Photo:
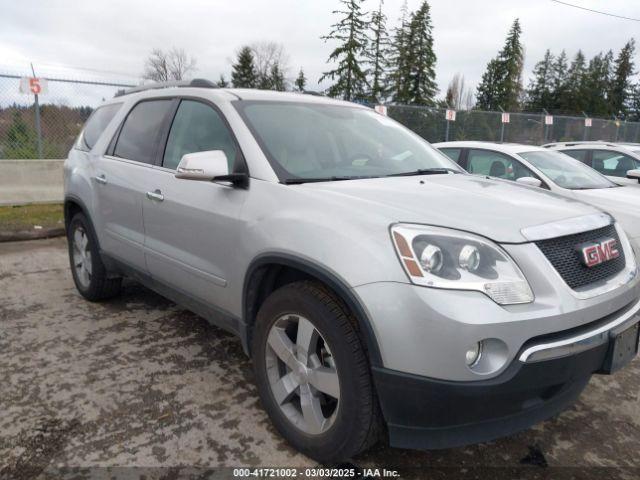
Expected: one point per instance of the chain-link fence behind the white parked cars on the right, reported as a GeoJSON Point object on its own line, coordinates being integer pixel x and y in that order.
{"type": "Point", "coordinates": [528, 128]}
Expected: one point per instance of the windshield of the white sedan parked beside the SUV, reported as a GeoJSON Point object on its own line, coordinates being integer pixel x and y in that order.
{"type": "Point", "coordinates": [565, 171]}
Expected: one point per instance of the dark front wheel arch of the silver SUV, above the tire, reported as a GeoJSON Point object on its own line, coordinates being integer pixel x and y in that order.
{"type": "Point", "coordinates": [261, 278]}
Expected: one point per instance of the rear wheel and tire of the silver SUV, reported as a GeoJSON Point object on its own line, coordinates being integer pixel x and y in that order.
{"type": "Point", "coordinates": [89, 273]}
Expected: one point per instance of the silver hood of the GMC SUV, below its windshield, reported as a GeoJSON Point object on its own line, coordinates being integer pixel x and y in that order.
{"type": "Point", "coordinates": [496, 209]}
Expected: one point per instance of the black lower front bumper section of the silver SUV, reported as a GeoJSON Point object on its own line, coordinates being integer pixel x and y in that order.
{"type": "Point", "coordinates": [426, 413]}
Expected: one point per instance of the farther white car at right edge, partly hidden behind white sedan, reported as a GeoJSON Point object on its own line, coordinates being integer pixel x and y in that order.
{"type": "Point", "coordinates": [618, 162]}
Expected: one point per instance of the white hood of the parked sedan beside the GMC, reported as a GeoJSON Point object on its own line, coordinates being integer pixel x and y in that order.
{"type": "Point", "coordinates": [621, 202]}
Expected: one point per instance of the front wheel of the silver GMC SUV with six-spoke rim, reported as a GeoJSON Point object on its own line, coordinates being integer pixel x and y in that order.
{"type": "Point", "coordinates": [340, 428]}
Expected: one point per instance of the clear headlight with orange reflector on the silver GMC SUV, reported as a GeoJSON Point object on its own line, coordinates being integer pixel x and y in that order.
{"type": "Point", "coordinates": [442, 258]}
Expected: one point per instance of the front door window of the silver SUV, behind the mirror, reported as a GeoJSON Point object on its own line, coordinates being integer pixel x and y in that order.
{"type": "Point", "coordinates": [197, 128]}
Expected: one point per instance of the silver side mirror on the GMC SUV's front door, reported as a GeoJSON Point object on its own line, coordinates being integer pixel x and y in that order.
{"type": "Point", "coordinates": [209, 166]}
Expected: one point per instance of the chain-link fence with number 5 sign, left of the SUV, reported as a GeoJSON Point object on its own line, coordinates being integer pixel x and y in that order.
{"type": "Point", "coordinates": [46, 125]}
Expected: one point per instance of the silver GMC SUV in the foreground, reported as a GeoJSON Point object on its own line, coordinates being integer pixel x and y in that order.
{"type": "Point", "coordinates": [381, 291]}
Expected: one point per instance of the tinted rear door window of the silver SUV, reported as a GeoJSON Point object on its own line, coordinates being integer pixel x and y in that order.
{"type": "Point", "coordinates": [140, 133]}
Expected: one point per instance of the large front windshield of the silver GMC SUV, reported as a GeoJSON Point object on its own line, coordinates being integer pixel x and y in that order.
{"type": "Point", "coordinates": [305, 141]}
